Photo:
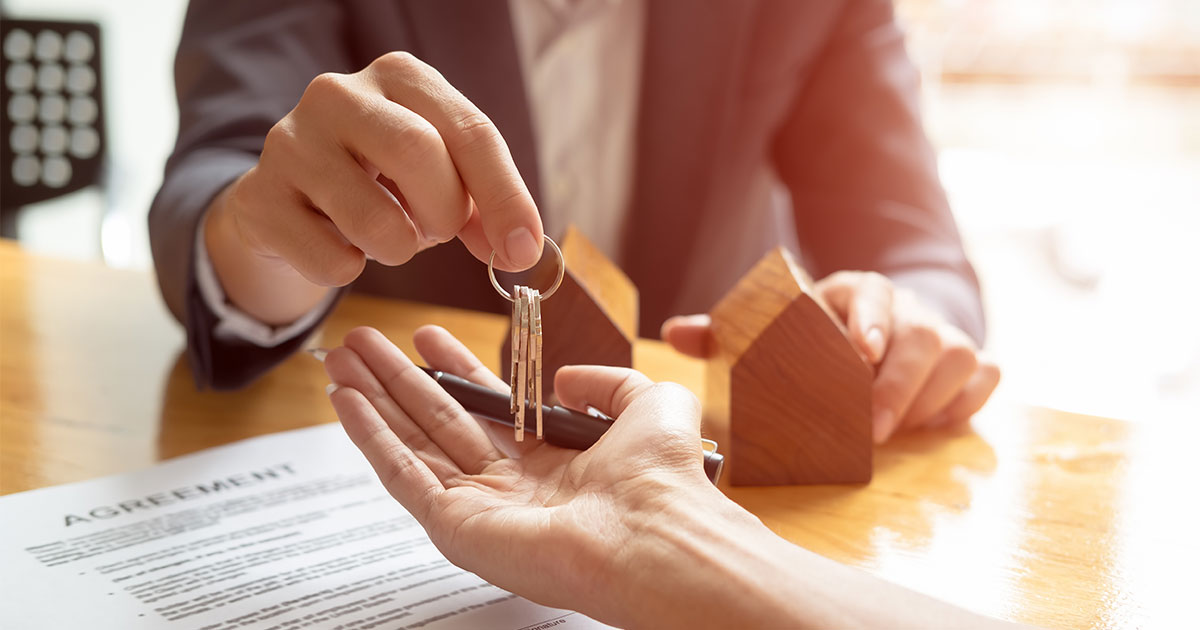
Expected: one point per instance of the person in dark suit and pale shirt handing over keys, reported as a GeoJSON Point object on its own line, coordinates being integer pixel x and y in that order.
{"type": "Point", "coordinates": [393, 146]}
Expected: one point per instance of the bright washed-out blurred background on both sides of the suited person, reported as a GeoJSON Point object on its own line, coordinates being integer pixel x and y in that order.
{"type": "Point", "coordinates": [1070, 143]}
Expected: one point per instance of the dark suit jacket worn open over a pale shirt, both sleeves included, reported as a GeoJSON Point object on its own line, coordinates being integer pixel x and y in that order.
{"type": "Point", "coordinates": [740, 99]}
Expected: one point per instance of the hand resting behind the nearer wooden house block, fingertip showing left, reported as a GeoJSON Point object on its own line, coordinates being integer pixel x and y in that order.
{"type": "Point", "coordinates": [929, 374]}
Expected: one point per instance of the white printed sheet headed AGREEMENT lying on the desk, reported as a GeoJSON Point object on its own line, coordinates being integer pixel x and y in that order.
{"type": "Point", "coordinates": [283, 532]}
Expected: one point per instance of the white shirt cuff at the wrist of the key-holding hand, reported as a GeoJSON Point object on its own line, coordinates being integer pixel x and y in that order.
{"type": "Point", "coordinates": [235, 325]}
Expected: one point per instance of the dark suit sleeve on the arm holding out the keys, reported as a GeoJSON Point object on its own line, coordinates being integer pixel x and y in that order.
{"type": "Point", "coordinates": [241, 68]}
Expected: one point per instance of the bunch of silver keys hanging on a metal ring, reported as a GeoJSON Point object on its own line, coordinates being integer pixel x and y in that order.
{"type": "Point", "coordinates": [525, 379]}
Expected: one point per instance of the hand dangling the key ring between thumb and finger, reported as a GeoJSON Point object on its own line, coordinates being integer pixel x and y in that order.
{"type": "Point", "coordinates": [381, 164]}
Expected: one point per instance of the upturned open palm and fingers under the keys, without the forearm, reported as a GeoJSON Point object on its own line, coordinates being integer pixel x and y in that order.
{"type": "Point", "coordinates": [554, 525]}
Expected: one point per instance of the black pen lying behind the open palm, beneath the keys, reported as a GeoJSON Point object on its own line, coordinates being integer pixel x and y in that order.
{"type": "Point", "coordinates": [562, 428]}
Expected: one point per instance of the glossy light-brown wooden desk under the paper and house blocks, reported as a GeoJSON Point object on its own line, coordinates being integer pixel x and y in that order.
{"type": "Point", "coordinates": [1036, 515]}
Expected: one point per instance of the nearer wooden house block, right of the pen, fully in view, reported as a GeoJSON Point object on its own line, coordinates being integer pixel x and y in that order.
{"type": "Point", "coordinates": [794, 392]}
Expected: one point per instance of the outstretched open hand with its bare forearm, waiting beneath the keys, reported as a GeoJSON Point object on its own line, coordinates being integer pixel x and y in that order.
{"type": "Point", "coordinates": [629, 532]}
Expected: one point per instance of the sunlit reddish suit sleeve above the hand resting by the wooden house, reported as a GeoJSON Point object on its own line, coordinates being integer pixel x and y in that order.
{"type": "Point", "coordinates": [863, 176]}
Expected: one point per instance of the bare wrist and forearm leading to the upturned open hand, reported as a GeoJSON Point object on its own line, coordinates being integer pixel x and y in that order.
{"type": "Point", "coordinates": [703, 561]}
